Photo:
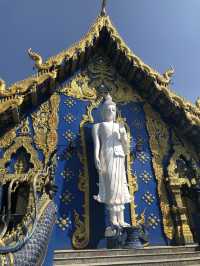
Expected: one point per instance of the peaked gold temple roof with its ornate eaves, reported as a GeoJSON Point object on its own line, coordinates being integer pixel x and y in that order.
{"type": "Point", "coordinates": [51, 71]}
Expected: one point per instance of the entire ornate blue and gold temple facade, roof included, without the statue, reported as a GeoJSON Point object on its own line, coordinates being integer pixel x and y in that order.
{"type": "Point", "coordinates": [47, 171]}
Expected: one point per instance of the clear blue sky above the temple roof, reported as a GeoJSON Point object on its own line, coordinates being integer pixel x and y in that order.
{"type": "Point", "coordinates": [161, 32]}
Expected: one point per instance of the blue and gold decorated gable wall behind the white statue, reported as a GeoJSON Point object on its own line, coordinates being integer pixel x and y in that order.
{"type": "Point", "coordinates": [63, 124]}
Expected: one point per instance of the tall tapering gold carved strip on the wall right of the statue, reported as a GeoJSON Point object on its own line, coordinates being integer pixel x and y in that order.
{"type": "Point", "coordinates": [159, 148]}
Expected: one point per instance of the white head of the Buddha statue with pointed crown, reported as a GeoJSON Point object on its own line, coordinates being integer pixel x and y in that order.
{"type": "Point", "coordinates": [109, 109]}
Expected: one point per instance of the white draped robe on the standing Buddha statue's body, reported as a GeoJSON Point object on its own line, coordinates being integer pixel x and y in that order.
{"type": "Point", "coordinates": [113, 187]}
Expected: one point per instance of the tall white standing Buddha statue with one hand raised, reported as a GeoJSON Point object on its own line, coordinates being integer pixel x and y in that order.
{"type": "Point", "coordinates": [111, 146]}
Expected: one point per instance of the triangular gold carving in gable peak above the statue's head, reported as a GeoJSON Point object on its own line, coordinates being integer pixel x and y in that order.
{"type": "Point", "coordinates": [99, 78]}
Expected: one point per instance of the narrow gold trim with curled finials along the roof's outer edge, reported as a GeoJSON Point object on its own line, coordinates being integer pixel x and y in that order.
{"type": "Point", "coordinates": [191, 111]}
